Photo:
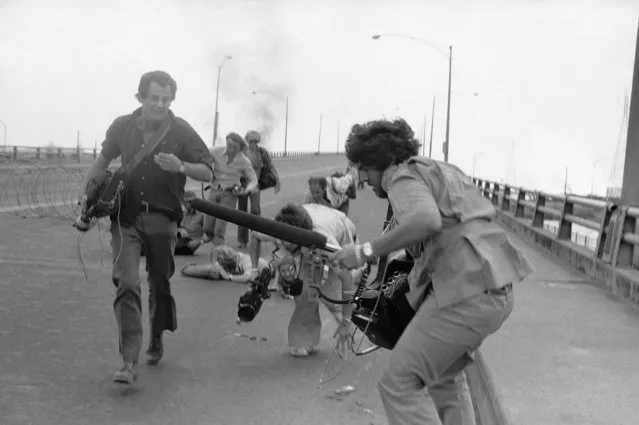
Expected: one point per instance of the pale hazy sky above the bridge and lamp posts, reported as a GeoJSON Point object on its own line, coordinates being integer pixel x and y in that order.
{"type": "Point", "coordinates": [551, 76]}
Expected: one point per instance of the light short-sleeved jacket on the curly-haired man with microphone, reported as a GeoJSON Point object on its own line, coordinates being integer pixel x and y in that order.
{"type": "Point", "coordinates": [470, 253]}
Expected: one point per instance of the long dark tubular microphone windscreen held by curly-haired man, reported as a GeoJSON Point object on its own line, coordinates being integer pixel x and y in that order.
{"type": "Point", "coordinates": [283, 231]}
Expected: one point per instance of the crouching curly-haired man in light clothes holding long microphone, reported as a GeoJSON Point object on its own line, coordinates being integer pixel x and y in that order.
{"type": "Point", "coordinates": [461, 285]}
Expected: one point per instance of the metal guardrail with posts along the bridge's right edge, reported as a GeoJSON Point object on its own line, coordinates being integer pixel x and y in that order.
{"type": "Point", "coordinates": [617, 225]}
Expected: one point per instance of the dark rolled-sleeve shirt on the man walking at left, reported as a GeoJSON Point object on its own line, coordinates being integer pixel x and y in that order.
{"type": "Point", "coordinates": [162, 191]}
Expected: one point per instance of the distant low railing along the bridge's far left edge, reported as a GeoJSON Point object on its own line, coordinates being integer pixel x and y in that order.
{"type": "Point", "coordinates": [54, 155]}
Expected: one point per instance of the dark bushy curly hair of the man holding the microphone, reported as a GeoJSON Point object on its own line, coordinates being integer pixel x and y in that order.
{"type": "Point", "coordinates": [381, 143]}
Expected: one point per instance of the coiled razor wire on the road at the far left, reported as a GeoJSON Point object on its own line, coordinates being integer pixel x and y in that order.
{"type": "Point", "coordinates": [48, 191]}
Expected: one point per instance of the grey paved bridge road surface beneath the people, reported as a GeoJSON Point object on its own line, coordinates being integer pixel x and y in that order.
{"type": "Point", "coordinates": [566, 356]}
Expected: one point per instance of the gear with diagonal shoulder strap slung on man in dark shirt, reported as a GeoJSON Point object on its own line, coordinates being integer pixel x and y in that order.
{"type": "Point", "coordinates": [105, 194]}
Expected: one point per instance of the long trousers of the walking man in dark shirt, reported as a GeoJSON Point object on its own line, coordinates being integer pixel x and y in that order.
{"type": "Point", "coordinates": [157, 235]}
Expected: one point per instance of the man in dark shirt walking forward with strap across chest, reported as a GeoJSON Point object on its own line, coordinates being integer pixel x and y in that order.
{"type": "Point", "coordinates": [150, 211]}
